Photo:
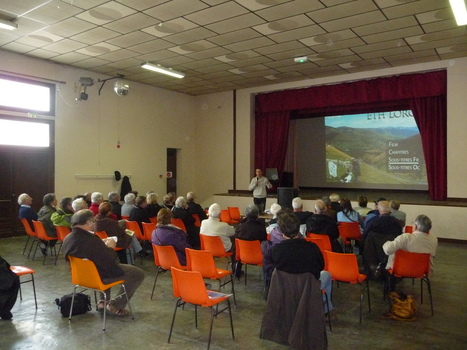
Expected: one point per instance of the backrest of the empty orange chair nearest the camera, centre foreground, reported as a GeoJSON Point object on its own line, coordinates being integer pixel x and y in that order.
{"type": "Point", "coordinates": [189, 285]}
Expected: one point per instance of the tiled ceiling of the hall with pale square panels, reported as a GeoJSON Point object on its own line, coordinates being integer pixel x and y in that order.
{"type": "Point", "coordinates": [224, 45]}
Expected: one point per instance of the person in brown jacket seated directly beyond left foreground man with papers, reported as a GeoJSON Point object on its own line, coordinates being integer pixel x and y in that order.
{"type": "Point", "coordinates": [112, 228]}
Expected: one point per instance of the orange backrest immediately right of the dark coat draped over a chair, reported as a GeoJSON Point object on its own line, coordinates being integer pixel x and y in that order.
{"type": "Point", "coordinates": [342, 267]}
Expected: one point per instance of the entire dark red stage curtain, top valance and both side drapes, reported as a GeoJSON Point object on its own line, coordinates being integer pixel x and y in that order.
{"type": "Point", "coordinates": [425, 93]}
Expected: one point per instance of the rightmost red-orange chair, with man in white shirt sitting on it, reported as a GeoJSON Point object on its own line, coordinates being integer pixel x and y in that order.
{"type": "Point", "coordinates": [412, 265]}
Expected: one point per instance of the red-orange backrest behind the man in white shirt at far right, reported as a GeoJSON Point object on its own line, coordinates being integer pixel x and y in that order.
{"type": "Point", "coordinates": [408, 264]}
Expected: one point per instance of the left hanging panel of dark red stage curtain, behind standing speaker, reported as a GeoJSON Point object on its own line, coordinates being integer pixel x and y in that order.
{"type": "Point", "coordinates": [271, 133]}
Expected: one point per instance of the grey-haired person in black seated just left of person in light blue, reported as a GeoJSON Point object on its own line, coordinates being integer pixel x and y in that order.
{"type": "Point", "coordinates": [320, 223]}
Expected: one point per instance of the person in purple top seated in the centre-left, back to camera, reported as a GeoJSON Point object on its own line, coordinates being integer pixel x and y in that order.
{"type": "Point", "coordinates": [168, 234]}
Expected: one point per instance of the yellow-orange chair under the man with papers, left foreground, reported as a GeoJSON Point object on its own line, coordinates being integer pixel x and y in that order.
{"type": "Point", "coordinates": [84, 274]}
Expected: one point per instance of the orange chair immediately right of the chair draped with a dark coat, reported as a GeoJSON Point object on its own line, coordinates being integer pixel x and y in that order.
{"type": "Point", "coordinates": [344, 268]}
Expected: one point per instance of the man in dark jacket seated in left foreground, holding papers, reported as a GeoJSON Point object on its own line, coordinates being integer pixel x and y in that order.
{"type": "Point", "coordinates": [82, 243]}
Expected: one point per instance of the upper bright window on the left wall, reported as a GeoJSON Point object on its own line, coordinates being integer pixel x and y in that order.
{"type": "Point", "coordinates": [17, 94]}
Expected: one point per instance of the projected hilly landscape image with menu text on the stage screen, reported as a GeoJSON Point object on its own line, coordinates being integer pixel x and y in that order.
{"type": "Point", "coordinates": [374, 148]}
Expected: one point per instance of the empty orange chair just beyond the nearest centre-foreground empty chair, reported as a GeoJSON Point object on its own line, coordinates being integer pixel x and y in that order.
{"type": "Point", "coordinates": [203, 261]}
